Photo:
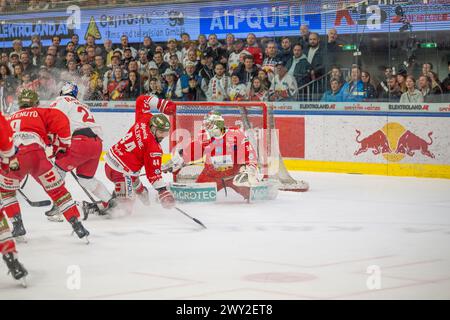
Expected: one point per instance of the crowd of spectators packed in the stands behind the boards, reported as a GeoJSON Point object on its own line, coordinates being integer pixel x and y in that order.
{"type": "Point", "coordinates": [205, 68]}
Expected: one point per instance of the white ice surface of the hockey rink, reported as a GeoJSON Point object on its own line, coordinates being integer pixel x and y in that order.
{"type": "Point", "coordinates": [349, 237]}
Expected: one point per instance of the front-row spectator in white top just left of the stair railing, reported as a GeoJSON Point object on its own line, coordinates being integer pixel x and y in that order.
{"type": "Point", "coordinates": [284, 86]}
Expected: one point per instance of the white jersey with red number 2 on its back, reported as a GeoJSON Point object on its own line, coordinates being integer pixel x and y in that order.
{"type": "Point", "coordinates": [79, 115]}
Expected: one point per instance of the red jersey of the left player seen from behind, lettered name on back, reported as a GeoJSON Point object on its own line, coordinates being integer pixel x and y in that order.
{"type": "Point", "coordinates": [34, 125]}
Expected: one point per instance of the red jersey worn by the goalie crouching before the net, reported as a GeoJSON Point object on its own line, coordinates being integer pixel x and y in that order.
{"type": "Point", "coordinates": [224, 155]}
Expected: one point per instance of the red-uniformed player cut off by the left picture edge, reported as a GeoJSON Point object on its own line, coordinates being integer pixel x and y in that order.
{"type": "Point", "coordinates": [9, 162]}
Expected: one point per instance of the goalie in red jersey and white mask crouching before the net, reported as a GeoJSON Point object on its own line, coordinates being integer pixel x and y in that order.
{"type": "Point", "coordinates": [230, 160]}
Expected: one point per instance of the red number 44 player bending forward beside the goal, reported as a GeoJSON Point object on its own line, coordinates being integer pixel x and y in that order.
{"type": "Point", "coordinates": [140, 148]}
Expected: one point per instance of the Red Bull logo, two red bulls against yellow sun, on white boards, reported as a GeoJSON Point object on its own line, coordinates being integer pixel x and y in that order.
{"type": "Point", "coordinates": [394, 143]}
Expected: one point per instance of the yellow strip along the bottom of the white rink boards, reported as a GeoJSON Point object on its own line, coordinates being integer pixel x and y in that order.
{"type": "Point", "coordinates": [386, 169]}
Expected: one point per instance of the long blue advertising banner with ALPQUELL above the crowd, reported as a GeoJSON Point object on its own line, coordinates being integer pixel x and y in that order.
{"type": "Point", "coordinates": [264, 18]}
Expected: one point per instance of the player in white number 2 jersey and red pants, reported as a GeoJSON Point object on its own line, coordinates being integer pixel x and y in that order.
{"type": "Point", "coordinates": [84, 152]}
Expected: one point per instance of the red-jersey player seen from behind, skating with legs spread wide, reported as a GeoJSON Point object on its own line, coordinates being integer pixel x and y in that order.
{"type": "Point", "coordinates": [32, 126]}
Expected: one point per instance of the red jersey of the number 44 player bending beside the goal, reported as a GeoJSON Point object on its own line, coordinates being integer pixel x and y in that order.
{"type": "Point", "coordinates": [138, 149]}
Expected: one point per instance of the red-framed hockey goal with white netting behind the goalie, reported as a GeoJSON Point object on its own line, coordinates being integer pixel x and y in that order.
{"type": "Point", "coordinates": [255, 119]}
